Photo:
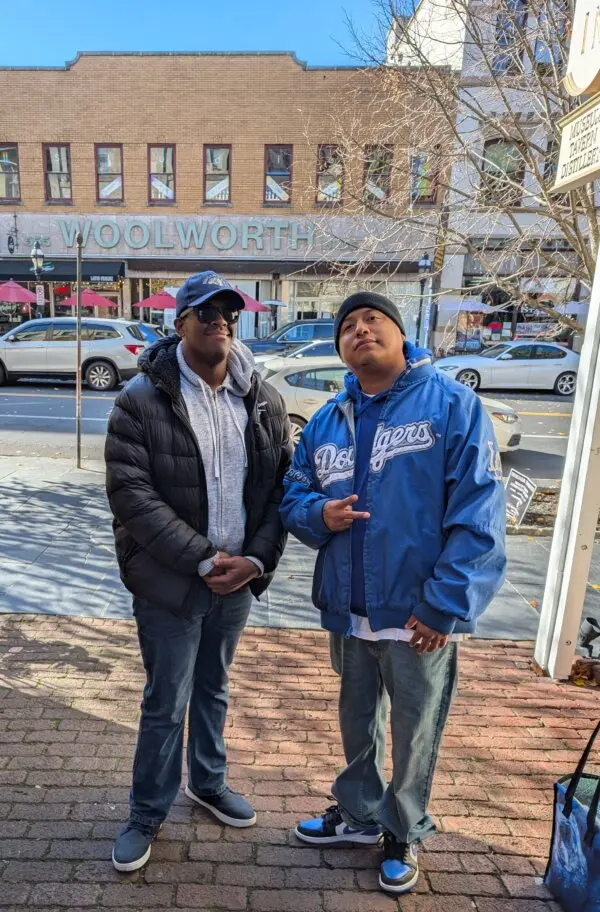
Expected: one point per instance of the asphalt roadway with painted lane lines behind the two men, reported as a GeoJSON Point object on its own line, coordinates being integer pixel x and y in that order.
{"type": "Point", "coordinates": [38, 419]}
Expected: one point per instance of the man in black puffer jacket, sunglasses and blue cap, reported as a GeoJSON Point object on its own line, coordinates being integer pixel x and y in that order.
{"type": "Point", "coordinates": [196, 452]}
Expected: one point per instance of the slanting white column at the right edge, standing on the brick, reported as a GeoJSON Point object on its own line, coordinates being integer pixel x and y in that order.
{"type": "Point", "coordinates": [578, 508]}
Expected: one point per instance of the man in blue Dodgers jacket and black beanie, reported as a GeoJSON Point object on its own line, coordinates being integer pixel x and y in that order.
{"type": "Point", "coordinates": [398, 483]}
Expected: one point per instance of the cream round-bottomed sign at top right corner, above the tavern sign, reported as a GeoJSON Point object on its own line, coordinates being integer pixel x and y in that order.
{"type": "Point", "coordinates": [583, 68]}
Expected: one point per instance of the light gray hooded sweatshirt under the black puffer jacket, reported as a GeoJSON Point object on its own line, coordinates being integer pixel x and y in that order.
{"type": "Point", "coordinates": [219, 421]}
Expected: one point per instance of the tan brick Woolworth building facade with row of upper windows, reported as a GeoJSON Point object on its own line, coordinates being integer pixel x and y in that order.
{"type": "Point", "coordinates": [170, 163]}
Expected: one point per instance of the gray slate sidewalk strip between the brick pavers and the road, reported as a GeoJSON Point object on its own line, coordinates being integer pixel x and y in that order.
{"type": "Point", "coordinates": [56, 557]}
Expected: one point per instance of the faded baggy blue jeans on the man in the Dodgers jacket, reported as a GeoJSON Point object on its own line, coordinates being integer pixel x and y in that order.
{"type": "Point", "coordinates": [377, 676]}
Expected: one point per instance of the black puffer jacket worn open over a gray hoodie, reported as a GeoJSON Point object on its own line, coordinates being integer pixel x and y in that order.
{"type": "Point", "coordinates": [157, 487]}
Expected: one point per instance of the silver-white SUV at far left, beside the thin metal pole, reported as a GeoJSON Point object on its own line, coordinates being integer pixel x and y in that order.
{"type": "Point", "coordinates": [48, 348]}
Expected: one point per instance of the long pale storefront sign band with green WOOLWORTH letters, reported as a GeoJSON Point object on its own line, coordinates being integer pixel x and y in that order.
{"type": "Point", "coordinates": [212, 237]}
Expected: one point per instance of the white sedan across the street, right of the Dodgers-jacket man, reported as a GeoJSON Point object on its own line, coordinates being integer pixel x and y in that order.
{"type": "Point", "coordinates": [516, 365]}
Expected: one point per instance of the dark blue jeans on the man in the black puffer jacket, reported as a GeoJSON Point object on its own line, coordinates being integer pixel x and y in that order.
{"type": "Point", "coordinates": [187, 662]}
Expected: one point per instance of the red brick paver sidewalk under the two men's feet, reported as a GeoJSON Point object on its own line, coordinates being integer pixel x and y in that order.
{"type": "Point", "coordinates": [69, 696]}
